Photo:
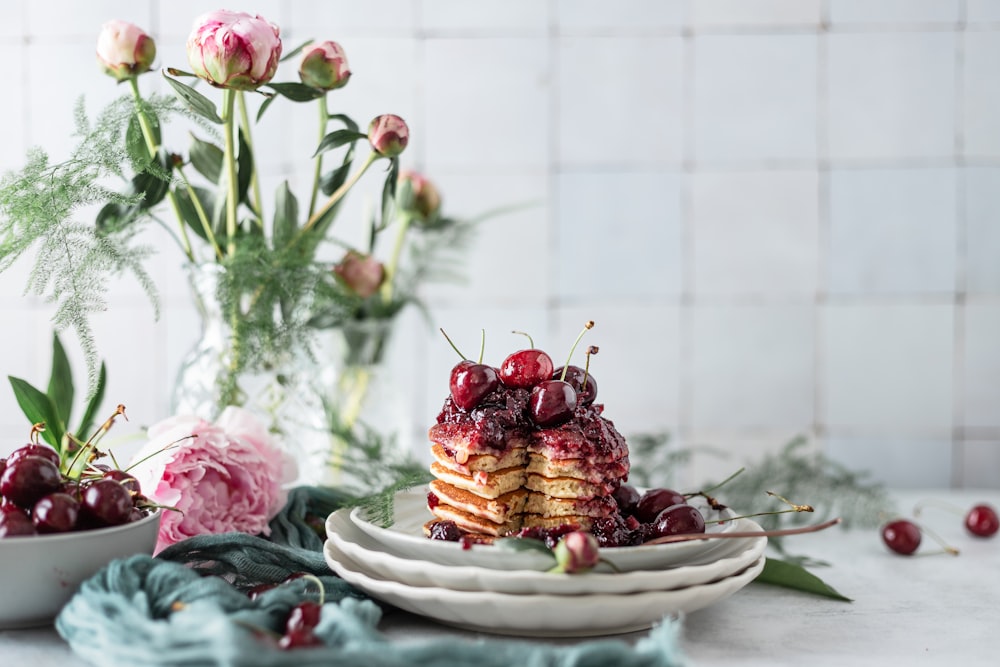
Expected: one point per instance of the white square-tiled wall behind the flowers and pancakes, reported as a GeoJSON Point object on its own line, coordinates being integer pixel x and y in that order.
{"type": "Point", "coordinates": [780, 213]}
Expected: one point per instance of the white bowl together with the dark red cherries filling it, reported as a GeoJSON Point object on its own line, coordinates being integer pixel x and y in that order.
{"type": "Point", "coordinates": [57, 530]}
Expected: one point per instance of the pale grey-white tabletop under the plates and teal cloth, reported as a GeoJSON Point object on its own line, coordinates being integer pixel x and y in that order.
{"type": "Point", "coordinates": [918, 610]}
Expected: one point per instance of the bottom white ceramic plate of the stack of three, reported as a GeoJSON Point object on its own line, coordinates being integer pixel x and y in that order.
{"type": "Point", "coordinates": [539, 615]}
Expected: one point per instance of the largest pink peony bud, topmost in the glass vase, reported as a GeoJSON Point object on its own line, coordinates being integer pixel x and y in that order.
{"type": "Point", "coordinates": [234, 49]}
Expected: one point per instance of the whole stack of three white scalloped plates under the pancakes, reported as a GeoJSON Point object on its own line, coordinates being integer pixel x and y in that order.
{"type": "Point", "coordinates": [492, 589]}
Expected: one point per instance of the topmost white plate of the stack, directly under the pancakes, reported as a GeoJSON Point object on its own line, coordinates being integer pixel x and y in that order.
{"type": "Point", "coordinates": [405, 538]}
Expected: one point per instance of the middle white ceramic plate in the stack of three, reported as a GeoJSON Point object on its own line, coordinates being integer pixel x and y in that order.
{"type": "Point", "coordinates": [349, 540]}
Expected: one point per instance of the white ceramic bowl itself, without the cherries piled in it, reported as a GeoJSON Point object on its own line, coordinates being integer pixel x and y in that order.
{"type": "Point", "coordinates": [39, 574]}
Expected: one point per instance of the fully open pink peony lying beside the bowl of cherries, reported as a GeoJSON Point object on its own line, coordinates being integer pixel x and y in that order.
{"type": "Point", "coordinates": [228, 477]}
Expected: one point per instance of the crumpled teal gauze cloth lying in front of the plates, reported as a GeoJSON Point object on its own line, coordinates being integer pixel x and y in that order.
{"type": "Point", "coordinates": [189, 607]}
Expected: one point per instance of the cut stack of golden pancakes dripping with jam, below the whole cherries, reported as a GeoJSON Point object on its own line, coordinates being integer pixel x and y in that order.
{"type": "Point", "coordinates": [540, 479]}
